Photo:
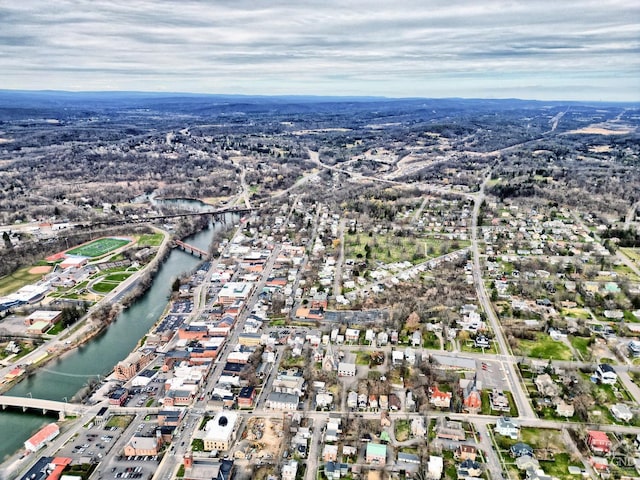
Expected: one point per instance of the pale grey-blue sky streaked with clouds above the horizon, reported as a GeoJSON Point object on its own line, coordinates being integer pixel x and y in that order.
{"type": "Point", "coordinates": [558, 49]}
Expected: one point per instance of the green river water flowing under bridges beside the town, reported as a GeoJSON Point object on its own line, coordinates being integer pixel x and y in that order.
{"type": "Point", "coordinates": [62, 378]}
